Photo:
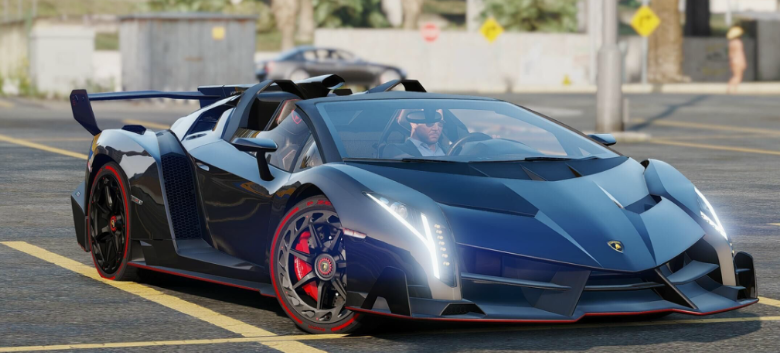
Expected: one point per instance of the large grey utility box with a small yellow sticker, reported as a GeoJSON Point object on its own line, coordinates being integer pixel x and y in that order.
{"type": "Point", "coordinates": [181, 51]}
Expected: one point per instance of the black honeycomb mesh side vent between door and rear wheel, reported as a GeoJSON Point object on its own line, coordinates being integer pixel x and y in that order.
{"type": "Point", "coordinates": [182, 197]}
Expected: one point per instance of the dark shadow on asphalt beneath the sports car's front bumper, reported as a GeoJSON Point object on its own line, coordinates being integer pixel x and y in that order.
{"type": "Point", "coordinates": [589, 333]}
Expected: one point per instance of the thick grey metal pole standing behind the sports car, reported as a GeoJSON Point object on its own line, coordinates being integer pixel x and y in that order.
{"type": "Point", "coordinates": [609, 97]}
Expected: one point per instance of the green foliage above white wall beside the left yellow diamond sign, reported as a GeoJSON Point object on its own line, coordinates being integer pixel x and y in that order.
{"type": "Point", "coordinates": [534, 15]}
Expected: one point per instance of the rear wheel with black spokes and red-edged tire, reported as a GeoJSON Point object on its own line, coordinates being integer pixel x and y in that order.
{"type": "Point", "coordinates": [108, 231]}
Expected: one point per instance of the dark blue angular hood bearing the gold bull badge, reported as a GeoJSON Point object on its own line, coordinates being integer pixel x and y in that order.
{"type": "Point", "coordinates": [569, 220]}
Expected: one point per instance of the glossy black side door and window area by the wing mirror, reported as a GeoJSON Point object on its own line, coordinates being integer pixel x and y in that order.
{"type": "Point", "coordinates": [236, 201]}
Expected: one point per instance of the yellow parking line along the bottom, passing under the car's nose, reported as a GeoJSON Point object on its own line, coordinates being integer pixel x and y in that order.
{"type": "Point", "coordinates": [295, 338]}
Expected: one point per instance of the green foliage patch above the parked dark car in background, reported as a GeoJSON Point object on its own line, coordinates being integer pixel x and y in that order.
{"type": "Point", "coordinates": [349, 13]}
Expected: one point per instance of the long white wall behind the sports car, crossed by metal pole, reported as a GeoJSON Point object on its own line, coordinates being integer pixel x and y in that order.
{"type": "Point", "coordinates": [462, 61]}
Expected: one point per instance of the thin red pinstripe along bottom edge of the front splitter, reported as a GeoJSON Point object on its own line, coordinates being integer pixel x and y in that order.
{"type": "Point", "coordinates": [531, 321]}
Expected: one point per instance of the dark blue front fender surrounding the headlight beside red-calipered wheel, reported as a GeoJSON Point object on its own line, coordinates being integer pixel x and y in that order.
{"type": "Point", "coordinates": [345, 186]}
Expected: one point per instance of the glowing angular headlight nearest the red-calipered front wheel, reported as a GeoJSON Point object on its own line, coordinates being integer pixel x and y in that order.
{"type": "Point", "coordinates": [416, 222]}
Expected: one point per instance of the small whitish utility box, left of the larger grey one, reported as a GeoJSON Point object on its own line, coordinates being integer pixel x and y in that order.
{"type": "Point", "coordinates": [61, 57]}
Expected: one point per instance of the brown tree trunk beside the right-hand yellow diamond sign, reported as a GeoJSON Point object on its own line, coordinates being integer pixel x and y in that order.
{"type": "Point", "coordinates": [664, 58]}
